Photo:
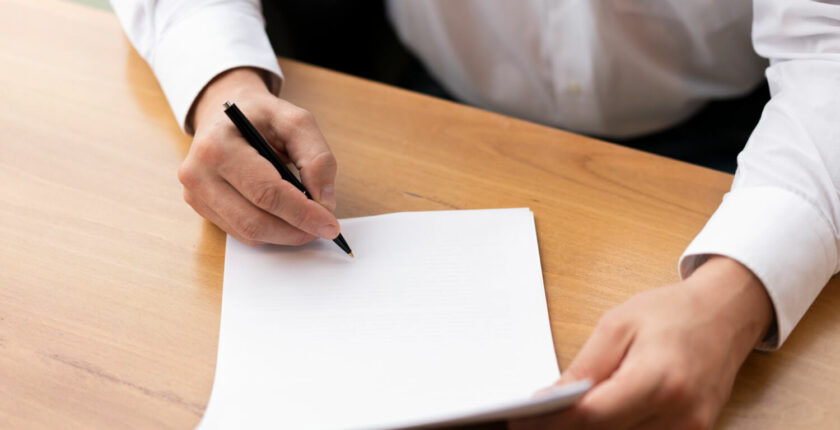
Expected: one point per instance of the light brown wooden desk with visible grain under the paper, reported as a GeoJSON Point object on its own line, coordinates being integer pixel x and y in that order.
{"type": "Point", "coordinates": [110, 285]}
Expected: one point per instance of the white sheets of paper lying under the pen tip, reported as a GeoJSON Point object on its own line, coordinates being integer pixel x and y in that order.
{"type": "Point", "coordinates": [440, 318]}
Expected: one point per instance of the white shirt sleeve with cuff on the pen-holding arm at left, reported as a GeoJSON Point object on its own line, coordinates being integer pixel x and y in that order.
{"type": "Point", "coordinates": [189, 42]}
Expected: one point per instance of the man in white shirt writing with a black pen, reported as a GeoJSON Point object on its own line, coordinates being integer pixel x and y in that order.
{"type": "Point", "coordinates": [667, 358]}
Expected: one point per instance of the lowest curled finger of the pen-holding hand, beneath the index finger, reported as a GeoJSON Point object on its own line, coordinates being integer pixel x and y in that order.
{"type": "Point", "coordinates": [247, 222]}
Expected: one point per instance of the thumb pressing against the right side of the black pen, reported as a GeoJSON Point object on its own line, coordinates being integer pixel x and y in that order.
{"type": "Point", "coordinates": [303, 141]}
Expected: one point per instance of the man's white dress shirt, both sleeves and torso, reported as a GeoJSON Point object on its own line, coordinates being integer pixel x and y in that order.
{"type": "Point", "coordinates": [612, 68]}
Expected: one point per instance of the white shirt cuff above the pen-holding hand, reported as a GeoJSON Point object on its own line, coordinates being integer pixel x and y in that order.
{"type": "Point", "coordinates": [200, 46]}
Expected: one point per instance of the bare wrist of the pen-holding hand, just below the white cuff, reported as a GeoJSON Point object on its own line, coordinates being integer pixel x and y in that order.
{"type": "Point", "coordinates": [225, 86]}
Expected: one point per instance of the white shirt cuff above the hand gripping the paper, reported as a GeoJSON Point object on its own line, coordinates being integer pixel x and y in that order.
{"type": "Point", "coordinates": [782, 238]}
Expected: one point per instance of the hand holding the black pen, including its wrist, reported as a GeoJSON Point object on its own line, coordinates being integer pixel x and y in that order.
{"type": "Point", "coordinates": [226, 181]}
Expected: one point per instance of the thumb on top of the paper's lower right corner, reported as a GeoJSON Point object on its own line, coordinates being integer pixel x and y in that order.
{"type": "Point", "coordinates": [602, 352]}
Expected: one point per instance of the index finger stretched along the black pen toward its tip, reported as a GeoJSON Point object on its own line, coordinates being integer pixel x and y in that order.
{"type": "Point", "coordinates": [259, 182]}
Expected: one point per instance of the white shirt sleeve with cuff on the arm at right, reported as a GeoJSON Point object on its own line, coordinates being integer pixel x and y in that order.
{"type": "Point", "coordinates": [782, 217]}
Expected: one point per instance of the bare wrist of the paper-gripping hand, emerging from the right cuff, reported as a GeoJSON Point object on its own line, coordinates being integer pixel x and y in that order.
{"type": "Point", "coordinates": [736, 298]}
